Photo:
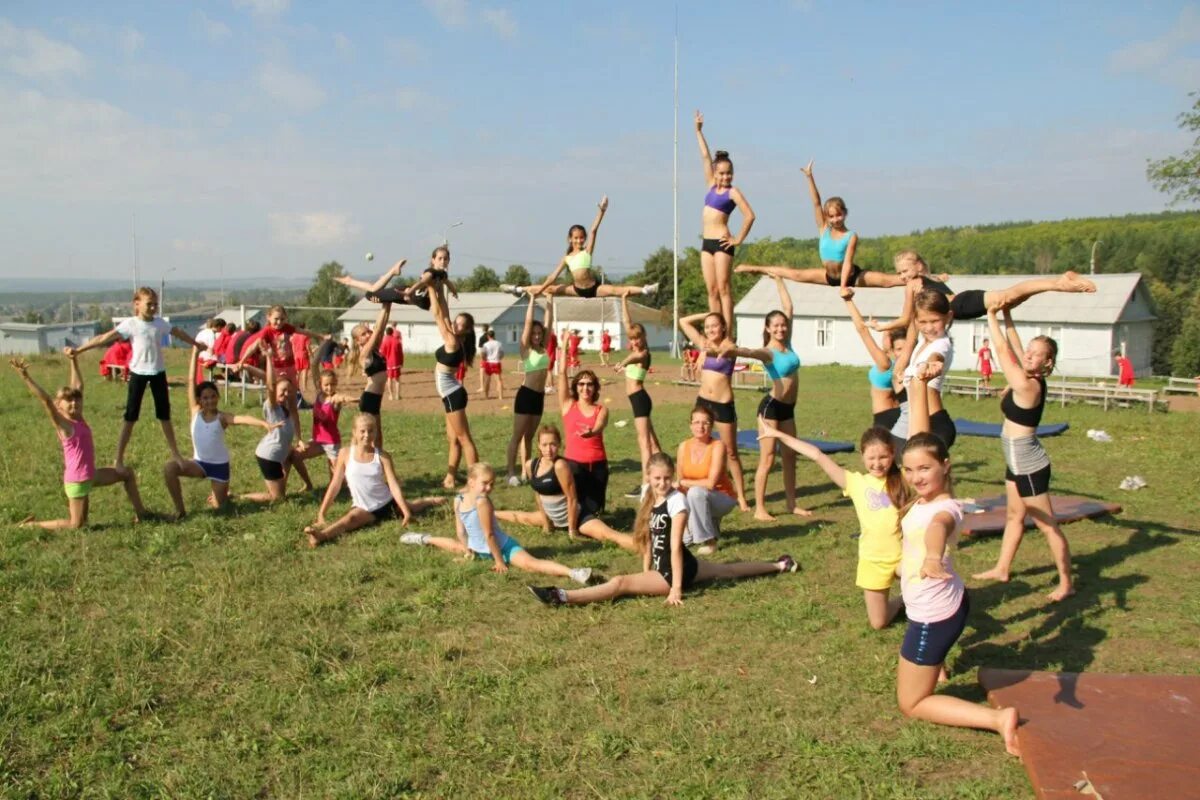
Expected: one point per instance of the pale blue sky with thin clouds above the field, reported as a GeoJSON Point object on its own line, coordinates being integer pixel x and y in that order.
{"type": "Point", "coordinates": [261, 139]}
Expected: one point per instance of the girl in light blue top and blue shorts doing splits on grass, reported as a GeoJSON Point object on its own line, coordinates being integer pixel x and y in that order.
{"type": "Point", "coordinates": [479, 533]}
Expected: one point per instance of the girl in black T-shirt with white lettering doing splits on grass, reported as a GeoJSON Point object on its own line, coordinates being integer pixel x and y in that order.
{"type": "Point", "coordinates": [668, 568]}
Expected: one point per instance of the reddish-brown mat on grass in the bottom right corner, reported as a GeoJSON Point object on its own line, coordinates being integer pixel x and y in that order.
{"type": "Point", "coordinates": [1112, 737]}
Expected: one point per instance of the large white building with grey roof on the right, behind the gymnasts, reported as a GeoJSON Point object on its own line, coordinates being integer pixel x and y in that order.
{"type": "Point", "coordinates": [1089, 328]}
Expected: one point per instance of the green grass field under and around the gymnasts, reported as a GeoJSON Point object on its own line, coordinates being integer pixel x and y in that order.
{"type": "Point", "coordinates": [220, 658]}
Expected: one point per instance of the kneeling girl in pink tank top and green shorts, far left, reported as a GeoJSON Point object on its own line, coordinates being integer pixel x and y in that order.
{"type": "Point", "coordinates": [81, 476]}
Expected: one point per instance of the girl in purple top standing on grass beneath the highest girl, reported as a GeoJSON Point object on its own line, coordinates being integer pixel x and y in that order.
{"type": "Point", "coordinates": [717, 387]}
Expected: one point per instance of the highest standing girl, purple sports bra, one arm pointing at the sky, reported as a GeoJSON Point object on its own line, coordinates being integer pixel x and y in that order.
{"type": "Point", "coordinates": [718, 246]}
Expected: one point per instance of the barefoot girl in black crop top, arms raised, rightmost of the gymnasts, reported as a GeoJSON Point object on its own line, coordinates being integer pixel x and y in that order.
{"type": "Point", "coordinates": [1028, 474]}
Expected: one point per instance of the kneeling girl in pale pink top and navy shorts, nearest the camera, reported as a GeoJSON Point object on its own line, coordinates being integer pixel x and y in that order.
{"type": "Point", "coordinates": [934, 596]}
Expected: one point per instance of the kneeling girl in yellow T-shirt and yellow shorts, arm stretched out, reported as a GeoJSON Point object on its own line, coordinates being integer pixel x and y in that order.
{"type": "Point", "coordinates": [878, 495]}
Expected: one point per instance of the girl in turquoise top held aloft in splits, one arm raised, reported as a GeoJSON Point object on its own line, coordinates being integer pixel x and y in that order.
{"type": "Point", "coordinates": [836, 245]}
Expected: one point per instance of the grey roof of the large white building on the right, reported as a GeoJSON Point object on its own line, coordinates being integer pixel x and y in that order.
{"type": "Point", "coordinates": [1114, 294]}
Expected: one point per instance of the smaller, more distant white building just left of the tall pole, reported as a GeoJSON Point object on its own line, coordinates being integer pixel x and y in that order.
{"type": "Point", "coordinates": [506, 314]}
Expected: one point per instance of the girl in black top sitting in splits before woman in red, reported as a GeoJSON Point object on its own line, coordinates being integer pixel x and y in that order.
{"type": "Point", "coordinates": [560, 507]}
